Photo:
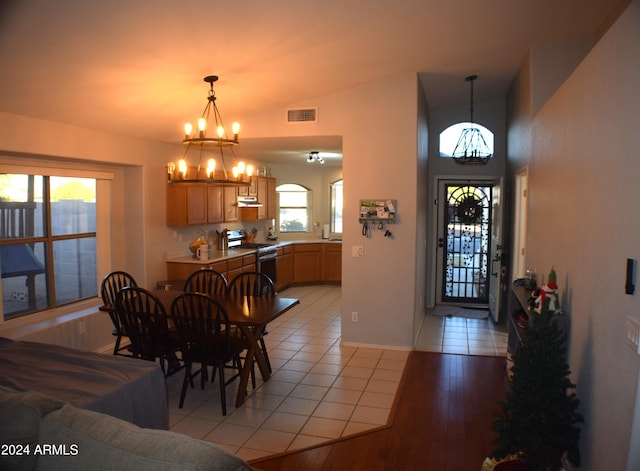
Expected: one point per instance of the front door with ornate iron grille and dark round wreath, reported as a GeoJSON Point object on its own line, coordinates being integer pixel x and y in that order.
{"type": "Point", "coordinates": [464, 238]}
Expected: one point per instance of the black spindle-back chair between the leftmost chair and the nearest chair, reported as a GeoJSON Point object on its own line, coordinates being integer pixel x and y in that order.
{"type": "Point", "coordinates": [145, 320]}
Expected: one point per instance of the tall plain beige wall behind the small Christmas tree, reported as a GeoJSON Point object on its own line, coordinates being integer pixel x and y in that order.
{"type": "Point", "coordinates": [583, 219]}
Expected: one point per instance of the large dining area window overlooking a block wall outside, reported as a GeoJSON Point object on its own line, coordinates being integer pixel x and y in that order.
{"type": "Point", "coordinates": [48, 239]}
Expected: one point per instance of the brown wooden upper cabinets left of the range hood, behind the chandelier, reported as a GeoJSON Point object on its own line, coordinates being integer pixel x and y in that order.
{"type": "Point", "coordinates": [193, 203]}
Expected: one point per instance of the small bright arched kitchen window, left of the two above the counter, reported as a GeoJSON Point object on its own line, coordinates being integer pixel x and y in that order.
{"type": "Point", "coordinates": [294, 203]}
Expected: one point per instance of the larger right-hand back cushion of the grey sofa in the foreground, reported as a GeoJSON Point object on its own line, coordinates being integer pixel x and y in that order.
{"type": "Point", "coordinates": [91, 440]}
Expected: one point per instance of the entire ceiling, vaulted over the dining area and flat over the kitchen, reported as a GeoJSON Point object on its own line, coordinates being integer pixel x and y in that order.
{"type": "Point", "coordinates": [135, 67]}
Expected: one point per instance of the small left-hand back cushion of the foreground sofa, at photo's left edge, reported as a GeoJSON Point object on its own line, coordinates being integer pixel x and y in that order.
{"type": "Point", "coordinates": [20, 415]}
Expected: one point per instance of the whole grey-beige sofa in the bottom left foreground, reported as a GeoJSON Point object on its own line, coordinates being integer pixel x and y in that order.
{"type": "Point", "coordinates": [39, 432]}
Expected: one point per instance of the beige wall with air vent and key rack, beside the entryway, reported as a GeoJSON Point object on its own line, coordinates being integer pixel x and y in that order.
{"type": "Point", "coordinates": [380, 160]}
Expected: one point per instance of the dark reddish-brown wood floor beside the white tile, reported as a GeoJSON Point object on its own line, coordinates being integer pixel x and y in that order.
{"type": "Point", "coordinates": [442, 421]}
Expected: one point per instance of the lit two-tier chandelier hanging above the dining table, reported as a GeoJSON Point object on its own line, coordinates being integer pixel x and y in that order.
{"type": "Point", "coordinates": [207, 146]}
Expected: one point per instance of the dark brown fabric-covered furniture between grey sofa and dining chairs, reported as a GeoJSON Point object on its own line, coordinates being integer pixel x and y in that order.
{"type": "Point", "coordinates": [122, 387]}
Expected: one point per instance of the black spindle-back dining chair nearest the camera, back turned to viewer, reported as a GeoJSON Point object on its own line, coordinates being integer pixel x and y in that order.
{"type": "Point", "coordinates": [205, 332]}
